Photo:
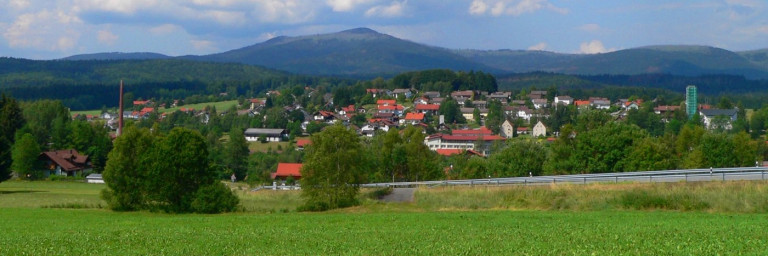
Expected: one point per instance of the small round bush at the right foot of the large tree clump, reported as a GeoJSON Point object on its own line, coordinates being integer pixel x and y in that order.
{"type": "Point", "coordinates": [214, 198]}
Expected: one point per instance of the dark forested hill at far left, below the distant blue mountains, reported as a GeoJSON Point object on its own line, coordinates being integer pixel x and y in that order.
{"type": "Point", "coordinates": [31, 73]}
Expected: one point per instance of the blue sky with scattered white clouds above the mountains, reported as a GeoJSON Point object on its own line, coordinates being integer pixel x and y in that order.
{"type": "Point", "coordinates": [51, 29]}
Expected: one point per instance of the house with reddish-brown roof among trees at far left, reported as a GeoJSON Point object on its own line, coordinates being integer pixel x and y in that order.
{"type": "Point", "coordinates": [66, 162]}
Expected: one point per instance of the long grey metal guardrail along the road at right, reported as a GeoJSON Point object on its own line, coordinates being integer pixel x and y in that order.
{"type": "Point", "coordinates": [736, 173]}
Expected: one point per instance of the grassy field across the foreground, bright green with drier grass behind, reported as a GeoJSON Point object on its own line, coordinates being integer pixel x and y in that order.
{"type": "Point", "coordinates": [37, 219]}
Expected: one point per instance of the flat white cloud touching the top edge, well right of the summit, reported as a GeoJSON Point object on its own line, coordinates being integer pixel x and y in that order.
{"type": "Point", "coordinates": [512, 7]}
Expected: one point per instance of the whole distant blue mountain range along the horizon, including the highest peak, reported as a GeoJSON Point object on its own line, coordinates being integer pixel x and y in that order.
{"type": "Point", "coordinates": [363, 52]}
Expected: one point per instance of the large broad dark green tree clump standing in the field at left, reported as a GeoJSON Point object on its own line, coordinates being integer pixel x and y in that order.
{"type": "Point", "coordinates": [162, 173]}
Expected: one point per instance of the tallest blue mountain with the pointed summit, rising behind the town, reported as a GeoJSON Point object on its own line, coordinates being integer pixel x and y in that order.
{"type": "Point", "coordinates": [357, 52]}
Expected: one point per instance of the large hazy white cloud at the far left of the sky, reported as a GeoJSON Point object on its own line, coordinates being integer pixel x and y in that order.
{"type": "Point", "coordinates": [52, 31]}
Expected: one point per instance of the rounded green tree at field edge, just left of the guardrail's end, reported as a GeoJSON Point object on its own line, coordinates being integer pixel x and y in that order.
{"type": "Point", "coordinates": [333, 169]}
